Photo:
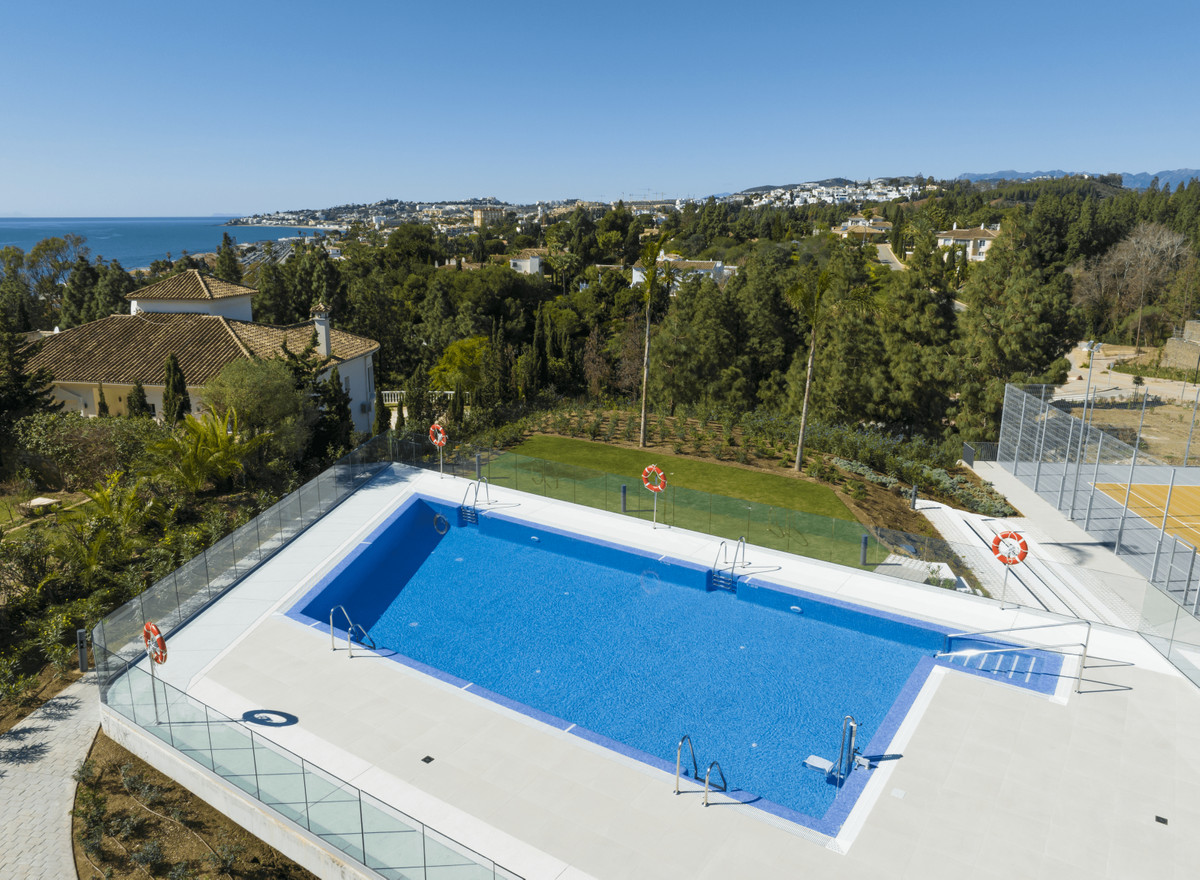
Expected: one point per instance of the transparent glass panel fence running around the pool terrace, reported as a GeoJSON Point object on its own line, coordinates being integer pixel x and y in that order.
{"type": "Point", "coordinates": [208, 738]}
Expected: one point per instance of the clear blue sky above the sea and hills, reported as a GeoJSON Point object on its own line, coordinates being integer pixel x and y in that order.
{"type": "Point", "coordinates": [165, 109]}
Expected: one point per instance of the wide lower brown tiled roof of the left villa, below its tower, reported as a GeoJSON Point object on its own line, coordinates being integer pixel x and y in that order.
{"type": "Point", "coordinates": [124, 349]}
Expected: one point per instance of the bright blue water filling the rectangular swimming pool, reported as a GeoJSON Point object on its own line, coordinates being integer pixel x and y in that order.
{"type": "Point", "coordinates": [634, 651]}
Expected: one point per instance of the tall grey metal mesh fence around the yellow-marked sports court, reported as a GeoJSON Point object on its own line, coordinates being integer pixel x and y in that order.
{"type": "Point", "coordinates": [1117, 493]}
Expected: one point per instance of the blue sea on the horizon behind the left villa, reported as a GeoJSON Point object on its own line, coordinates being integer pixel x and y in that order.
{"type": "Point", "coordinates": [137, 242]}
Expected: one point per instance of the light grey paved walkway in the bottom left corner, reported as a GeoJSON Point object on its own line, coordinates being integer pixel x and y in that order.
{"type": "Point", "coordinates": [38, 759]}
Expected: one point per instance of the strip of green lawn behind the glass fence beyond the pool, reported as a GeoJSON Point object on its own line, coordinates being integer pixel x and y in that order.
{"type": "Point", "coordinates": [688, 474]}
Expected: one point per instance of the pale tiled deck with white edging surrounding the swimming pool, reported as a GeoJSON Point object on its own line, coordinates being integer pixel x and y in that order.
{"type": "Point", "coordinates": [989, 781]}
